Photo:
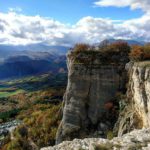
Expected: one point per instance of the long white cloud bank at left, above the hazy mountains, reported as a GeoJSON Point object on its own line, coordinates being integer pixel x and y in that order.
{"type": "Point", "coordinates": [21, 29]}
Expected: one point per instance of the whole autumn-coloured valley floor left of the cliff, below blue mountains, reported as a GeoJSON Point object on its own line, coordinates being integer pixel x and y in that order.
{"type": "Point", "coordinates": [30, 106]}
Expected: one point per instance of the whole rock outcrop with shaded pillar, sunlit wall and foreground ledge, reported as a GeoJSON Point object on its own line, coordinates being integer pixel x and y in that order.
{"type": "Point", "coordinates": [89, 105]}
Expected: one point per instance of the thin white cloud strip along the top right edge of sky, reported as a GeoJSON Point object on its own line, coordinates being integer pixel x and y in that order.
{"type": "Point", "coordinates": [133, 4]}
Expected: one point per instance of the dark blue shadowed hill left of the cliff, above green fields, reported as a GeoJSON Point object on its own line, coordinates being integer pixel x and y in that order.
{"type": "Point", "coordinates": [39, 63]}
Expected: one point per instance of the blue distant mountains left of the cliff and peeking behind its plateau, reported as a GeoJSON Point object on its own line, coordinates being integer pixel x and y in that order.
{"type": "Point", "coordinates": [19, 61]}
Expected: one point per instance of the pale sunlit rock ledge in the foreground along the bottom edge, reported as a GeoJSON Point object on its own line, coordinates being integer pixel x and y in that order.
{"type": "Point", "coordinates": [135, 140]}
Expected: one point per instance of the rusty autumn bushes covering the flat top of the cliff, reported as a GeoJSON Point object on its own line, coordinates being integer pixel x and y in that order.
{"type": "Point", "coordinates": [113, 53]}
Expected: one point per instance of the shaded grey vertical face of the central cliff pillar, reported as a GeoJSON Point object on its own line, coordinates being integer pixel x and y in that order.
{"type": "Point", "coordinates": [89, 98]}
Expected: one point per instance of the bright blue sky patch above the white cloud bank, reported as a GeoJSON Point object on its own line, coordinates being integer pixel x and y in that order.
{"type": "Point", "coordinates": [69, 11]}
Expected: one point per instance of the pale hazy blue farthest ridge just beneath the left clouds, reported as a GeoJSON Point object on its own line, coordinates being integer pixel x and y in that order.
{"type": "Point", "coordinates": [13, 50]}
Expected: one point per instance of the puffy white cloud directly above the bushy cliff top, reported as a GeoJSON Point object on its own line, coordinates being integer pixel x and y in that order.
{"type": "Point", "coordinates": [94, 29]}
